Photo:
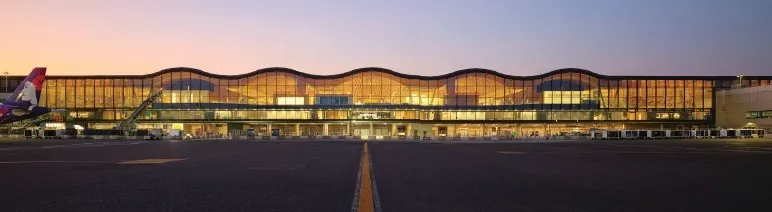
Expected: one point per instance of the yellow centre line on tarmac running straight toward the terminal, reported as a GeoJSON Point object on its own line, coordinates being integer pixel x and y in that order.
{"type": "Point", "coordinates": [366, 195]}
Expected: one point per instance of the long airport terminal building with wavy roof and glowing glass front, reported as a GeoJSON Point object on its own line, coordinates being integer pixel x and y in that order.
{"type": "Point", "coordinates": [377, 101]}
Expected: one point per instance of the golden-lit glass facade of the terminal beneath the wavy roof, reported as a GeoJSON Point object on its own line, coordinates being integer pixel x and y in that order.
{"type": "Point", "coordinates": [470, 95]}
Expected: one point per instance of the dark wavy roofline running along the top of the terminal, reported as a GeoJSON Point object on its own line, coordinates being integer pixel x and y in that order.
{"type": "Point", "coordinates": [398, 74]}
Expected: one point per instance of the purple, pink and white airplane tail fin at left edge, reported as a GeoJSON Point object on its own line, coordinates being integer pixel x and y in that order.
{"type": "Point", "coordinates": [29, 89]}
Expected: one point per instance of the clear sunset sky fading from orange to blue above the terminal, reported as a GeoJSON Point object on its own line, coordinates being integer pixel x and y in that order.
{"type": "Point", "coordinates": [426, 37]}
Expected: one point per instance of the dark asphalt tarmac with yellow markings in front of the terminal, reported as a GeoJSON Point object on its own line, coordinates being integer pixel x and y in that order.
{"type": "Point", "coordinates": [237, 175]}
